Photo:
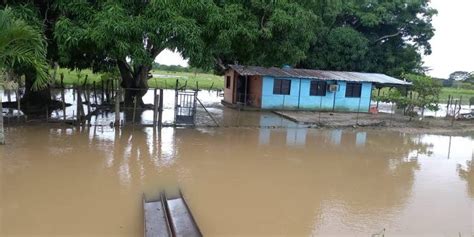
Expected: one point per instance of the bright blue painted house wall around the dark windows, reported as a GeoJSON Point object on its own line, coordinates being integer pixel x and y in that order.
{"type": "Point", "coordinates": [299, 97]}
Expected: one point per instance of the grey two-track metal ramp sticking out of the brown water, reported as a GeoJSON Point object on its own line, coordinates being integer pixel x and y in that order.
{"type": "Point", "coordinates": [171, 217]}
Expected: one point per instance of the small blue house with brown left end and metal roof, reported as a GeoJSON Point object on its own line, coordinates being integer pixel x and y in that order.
{"type": "Point", "coordinates": [302, 89]}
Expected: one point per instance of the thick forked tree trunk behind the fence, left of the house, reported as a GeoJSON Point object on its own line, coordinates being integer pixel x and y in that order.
{"type": "Point", "coordinates": [134, 82]}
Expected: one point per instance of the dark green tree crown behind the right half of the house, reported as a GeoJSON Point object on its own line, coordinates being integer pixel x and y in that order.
{"type": "Point", "coordinates": [387, 36]}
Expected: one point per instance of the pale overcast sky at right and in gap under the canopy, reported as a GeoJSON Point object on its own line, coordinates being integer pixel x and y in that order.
{"type": "Point", "coordinates": [452, 45]}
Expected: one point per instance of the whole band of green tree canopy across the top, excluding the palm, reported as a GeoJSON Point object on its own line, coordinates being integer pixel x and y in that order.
{"type": "Point", "coordinates": [355, 35]}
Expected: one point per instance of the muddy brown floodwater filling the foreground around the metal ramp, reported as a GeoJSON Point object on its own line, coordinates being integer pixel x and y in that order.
{"type": "Point", "coordinates": [238, 181]}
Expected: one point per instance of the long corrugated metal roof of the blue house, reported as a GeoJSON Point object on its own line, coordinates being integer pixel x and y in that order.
{"type": "Point", "coordinates": [318, 74]}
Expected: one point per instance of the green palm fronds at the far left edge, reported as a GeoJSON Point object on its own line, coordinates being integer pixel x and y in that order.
{"type": "Point", "coordinates": [22, 45]}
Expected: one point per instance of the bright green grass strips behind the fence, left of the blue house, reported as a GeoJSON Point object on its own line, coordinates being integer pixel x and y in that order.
{"type": "Point", "coordinates": [161, 79]}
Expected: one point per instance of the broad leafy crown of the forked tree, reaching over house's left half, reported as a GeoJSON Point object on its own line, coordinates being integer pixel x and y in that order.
{"type": "Point", "coordinates": [130, 34]}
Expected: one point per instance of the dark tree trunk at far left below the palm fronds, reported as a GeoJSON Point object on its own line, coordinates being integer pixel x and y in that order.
{"type": "Point", "coordinates": [34, 101]}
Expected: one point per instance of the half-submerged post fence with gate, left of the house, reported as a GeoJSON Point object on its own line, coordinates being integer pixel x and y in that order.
{"type": "Point", "coordinates": [104, 103]}
